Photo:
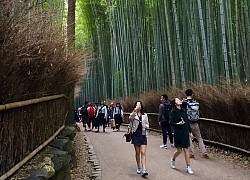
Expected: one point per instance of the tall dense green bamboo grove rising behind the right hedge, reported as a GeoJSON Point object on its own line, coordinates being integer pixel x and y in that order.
{"type": "Point", "coordinates": [143, 45]}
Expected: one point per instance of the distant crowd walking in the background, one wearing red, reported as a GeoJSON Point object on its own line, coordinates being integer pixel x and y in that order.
{"type": "Point", "coordinates": [96, 115]}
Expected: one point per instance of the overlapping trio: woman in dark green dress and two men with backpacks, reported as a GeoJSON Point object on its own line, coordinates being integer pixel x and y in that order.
{"type": "Point", "coordinates": [184, 117]}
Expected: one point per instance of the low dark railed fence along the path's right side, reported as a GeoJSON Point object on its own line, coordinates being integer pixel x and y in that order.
{"type": "Point", "coordinates": [227, 134]}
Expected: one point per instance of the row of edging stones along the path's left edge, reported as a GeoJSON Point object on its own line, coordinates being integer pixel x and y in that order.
{"type": "Point", "coordinates": [97, 170]}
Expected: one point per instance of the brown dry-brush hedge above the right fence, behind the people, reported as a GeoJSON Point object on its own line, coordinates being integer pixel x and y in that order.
{"type": "Point", "coordinates": [222, 102]}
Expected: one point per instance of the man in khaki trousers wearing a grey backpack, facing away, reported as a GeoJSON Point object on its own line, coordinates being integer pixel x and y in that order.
{"type": "Point", "coordinates": [192, 108]}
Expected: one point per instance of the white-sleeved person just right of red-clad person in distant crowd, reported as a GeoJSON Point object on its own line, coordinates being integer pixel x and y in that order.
{"type": "Point", "coordinates": [101, 114]}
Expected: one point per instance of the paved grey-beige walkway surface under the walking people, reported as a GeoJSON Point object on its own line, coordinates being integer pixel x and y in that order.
{"type": "Point", "coordinates": [118, 161]}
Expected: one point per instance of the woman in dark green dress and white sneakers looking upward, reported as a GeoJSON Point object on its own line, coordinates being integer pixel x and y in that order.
{"type": "Point", "coordinates": [182, 130]}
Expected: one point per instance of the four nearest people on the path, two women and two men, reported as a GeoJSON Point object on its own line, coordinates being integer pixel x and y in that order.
{"type": "Point", "coordinates": [179, 119]}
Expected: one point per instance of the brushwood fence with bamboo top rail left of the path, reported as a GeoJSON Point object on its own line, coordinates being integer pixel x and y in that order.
{"type": "Point", "coordinates": [26, 125]}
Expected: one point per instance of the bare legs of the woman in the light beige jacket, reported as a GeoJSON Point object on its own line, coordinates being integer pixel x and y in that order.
{"type": "Point", "coordinates": [140, 155]}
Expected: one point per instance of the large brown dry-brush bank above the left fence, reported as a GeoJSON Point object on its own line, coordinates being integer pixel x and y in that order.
{"type": "Point", "coordinates": [34, 58]}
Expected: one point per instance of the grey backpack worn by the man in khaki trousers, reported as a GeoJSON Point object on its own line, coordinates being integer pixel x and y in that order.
{"type": "Point", "coordinates": [193, 110]}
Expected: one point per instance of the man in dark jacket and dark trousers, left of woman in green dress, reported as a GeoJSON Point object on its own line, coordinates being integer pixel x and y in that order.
{"type": "Point", "coordinates": [164, 112]}
